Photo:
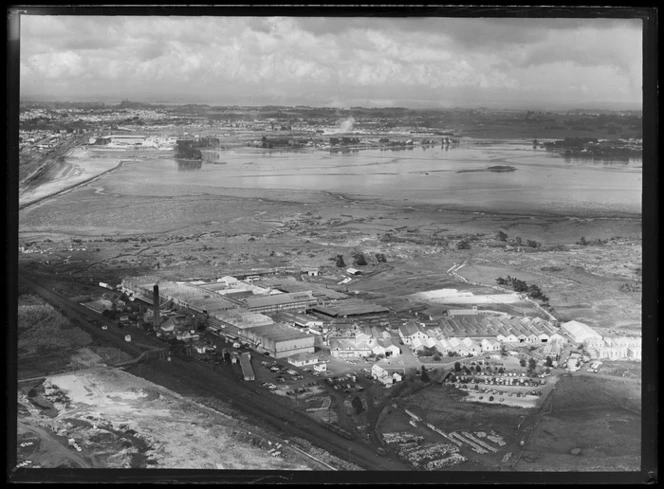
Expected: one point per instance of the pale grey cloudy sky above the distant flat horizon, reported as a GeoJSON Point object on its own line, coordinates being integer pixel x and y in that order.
{"type": "Point", "coordinates": [333, 61]}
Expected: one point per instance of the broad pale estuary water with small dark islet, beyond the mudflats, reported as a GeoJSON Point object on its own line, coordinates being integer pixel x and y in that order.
{"type": "Point", "coordinates": [457, 177]}
